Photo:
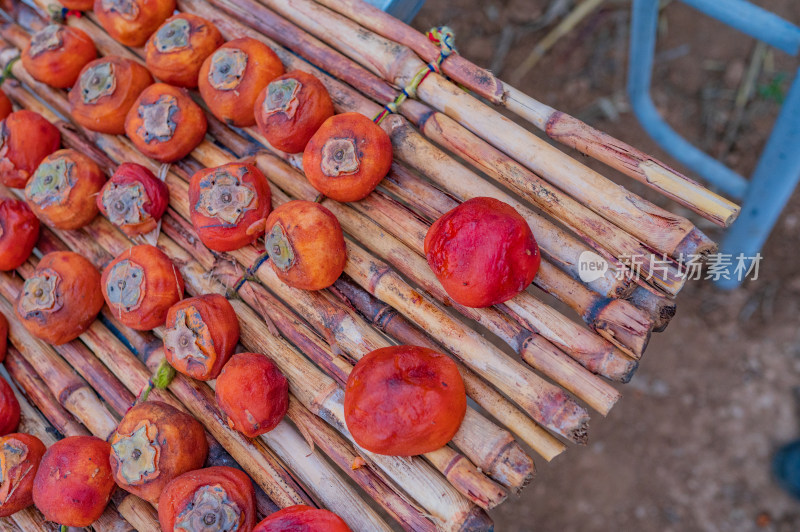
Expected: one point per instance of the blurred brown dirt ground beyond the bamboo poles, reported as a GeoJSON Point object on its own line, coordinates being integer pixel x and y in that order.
{"type": "Point", "coordinates": [688, 446]}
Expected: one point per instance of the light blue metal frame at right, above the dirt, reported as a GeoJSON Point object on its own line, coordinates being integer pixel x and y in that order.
{"type": "Point", "coordinates": [778, 170]}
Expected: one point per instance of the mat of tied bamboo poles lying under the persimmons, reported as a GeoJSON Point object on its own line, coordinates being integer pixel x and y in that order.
{"type": "Point", "coordinates": [529, 377]}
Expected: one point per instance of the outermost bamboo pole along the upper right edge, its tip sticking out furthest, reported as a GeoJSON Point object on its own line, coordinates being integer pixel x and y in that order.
{"type": "Point", "coordinates": [558, 125]}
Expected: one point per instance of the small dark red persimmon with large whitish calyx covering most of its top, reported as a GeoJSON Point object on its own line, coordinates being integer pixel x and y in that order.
{"type": "Point", "coordinates": [133, 199]}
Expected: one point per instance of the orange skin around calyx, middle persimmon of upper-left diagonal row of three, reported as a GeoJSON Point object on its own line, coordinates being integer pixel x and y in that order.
{"type": "Point", "coordinates": [107, 114]}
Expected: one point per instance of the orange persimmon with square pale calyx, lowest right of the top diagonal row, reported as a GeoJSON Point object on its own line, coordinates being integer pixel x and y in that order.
{"type": "Point", "coordinates": [347, 157]}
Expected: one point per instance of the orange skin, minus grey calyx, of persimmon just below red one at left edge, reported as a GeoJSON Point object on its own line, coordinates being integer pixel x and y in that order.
{"type": "Point", "coordinates": [79, 291]}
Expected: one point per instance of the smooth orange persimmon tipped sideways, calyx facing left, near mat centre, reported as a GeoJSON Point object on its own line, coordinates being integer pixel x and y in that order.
{"type": "Point", "coordinates": [305, 245]}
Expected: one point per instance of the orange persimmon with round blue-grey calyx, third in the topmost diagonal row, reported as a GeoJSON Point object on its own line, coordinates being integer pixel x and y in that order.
{"type": "Point", "coordinates": [234, 75]}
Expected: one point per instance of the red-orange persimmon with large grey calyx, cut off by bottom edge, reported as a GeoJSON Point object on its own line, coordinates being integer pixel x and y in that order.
{"type": "Point", "coordinates": [220, 496]}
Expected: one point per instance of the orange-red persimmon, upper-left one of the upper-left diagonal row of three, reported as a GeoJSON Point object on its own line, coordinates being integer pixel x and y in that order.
{"type": "Point", "coordinates": [57, 54]}
